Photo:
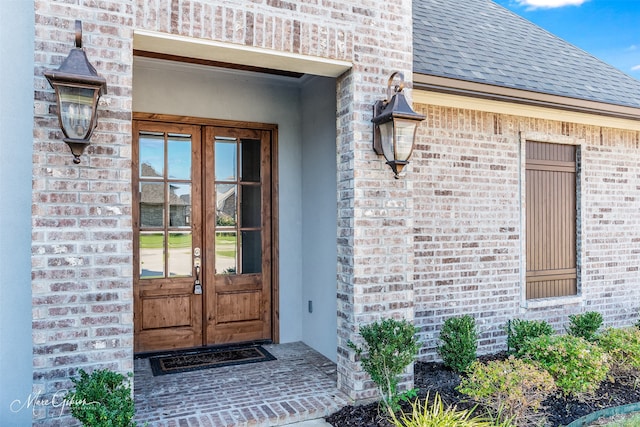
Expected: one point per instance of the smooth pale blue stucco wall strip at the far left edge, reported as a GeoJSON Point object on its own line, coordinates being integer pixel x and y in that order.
{"type": "Point", "coordinates": [16, 128]}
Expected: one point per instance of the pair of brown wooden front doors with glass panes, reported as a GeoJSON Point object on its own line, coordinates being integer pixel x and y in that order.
{"type": "Point", "coordinates": [203, 246]}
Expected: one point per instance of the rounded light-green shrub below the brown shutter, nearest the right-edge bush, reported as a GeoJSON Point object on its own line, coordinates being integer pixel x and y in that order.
{"type": "Point", "coordinates": [577, 365]}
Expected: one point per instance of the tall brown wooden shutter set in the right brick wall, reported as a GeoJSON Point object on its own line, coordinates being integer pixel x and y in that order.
{"type": "Point", "coordinates": [551, 220]}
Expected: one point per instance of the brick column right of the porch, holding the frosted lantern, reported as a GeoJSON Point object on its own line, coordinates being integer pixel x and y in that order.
{"type": "Point", "coordinates": [375, 210]}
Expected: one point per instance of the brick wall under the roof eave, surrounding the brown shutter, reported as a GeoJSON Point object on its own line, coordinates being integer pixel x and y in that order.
{"type": "Point", "coordinates": [466, 172]}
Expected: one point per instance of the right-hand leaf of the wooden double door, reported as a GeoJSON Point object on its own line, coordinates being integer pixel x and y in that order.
{"type": "Point", "coordinates": [238, 223]}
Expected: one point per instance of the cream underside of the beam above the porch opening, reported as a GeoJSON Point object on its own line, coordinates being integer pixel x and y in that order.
{"type": "Point", "coordinates": [189, 47]}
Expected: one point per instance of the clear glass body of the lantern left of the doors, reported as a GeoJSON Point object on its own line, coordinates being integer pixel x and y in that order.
{"type": "Point", "coordinates": [76, 110]}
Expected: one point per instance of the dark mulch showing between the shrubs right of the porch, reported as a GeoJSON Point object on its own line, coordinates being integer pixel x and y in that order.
{"type": "Point", "coordinates": [435, 377]}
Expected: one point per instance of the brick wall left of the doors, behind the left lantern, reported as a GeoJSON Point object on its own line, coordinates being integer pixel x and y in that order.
{"type": "Point", "coordinates": [81, 250]}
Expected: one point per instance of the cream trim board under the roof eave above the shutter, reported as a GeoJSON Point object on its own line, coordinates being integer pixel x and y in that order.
{"type": "Point", "coordinates": [511, 108]}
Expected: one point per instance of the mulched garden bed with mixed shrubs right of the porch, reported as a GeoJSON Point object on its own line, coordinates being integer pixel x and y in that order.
{"type": "Point", "coordinates": [543, 379]}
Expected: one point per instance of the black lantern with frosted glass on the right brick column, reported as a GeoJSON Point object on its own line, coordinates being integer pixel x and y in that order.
{"type": "Point", "coordinates": [394, 126]}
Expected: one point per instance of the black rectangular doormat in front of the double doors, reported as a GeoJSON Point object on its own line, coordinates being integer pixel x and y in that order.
{"type": "Point", "coordinates": [193, 360]}
